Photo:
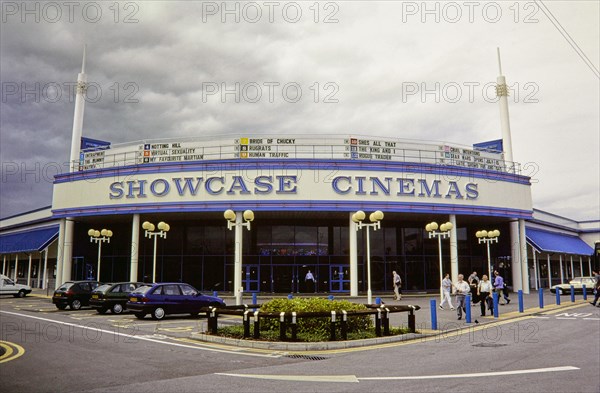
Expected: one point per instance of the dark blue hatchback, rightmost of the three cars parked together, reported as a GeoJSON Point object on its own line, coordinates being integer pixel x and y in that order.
{"type": "Point", "coordinates": [163, 299]}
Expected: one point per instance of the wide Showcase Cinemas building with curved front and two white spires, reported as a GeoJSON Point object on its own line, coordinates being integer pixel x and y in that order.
{"type": "Point", "coordinates": [303, 192]}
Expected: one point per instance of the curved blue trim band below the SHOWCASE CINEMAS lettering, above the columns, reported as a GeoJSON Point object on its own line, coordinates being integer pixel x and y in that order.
{"type": "Point", "coordinates": [284, 205]}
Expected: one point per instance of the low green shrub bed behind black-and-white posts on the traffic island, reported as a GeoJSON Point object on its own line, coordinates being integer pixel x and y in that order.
{"type": "Point", "coordinates": [315, 329]}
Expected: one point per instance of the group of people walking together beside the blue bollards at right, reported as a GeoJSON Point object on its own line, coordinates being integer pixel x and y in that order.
{"type": "Point", "coordinates": [481, 290]}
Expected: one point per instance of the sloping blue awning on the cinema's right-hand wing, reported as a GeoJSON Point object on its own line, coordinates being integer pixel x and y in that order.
{"type": "Point", "coordinates": [557, 242]}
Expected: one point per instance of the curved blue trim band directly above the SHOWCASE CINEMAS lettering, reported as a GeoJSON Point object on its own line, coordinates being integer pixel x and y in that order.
{"type": "Point", "coordinates": [316, 164]}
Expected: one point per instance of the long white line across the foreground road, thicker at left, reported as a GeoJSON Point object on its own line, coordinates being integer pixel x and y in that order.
{"type": "Point", "coordinates": [354, 378]}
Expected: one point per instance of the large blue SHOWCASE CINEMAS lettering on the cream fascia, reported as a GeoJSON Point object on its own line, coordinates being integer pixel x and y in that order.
{"type": "Point", "coordinates": [292, 184]}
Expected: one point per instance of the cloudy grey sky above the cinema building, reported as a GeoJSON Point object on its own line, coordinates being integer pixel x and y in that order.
{"type": "Point", "coordinates": [416, 70]}
